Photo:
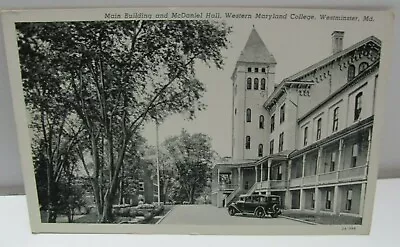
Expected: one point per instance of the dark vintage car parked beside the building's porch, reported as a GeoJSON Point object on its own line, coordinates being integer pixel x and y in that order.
{"type": "Point", "coordinates": [258, 205]}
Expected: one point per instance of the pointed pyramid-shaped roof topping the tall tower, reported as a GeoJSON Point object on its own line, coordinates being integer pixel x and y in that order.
{"type": "Point", "coordinates": [255, 50]}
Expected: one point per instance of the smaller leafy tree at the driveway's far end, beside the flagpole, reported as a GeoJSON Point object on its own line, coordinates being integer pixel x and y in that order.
{"type": "Point", "coordinates": [192, 155]}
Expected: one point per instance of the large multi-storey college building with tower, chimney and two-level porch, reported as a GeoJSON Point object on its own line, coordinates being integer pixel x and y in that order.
{"type": "Point", "coordinates": [306, 139]}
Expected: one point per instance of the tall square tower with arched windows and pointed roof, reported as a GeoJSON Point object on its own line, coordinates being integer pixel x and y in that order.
{"type": "Point", "coordinates": [253, 81]}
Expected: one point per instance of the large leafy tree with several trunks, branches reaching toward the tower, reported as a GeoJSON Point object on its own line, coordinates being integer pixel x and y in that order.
{"type": "Point", "coordinates": [117, 75]}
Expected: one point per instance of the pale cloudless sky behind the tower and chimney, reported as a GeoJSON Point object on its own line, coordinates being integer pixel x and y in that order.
{"type": "Point", "coordinates": [295, 46]}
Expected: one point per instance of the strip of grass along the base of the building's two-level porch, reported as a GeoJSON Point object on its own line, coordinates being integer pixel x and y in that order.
{"type": "Point", "coordinates": [324, 219]}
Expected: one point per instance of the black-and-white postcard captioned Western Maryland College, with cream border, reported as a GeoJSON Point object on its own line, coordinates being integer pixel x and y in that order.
{"type": "Point", "coordinates": [246, 121]}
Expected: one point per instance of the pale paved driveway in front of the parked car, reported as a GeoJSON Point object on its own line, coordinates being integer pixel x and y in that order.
{"type": "Point", "coordinates": [211, 215]}
